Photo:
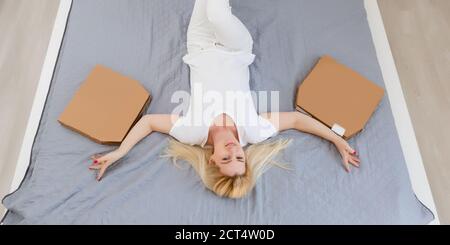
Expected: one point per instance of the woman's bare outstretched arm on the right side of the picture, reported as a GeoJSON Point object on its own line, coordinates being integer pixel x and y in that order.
{"type": "Point", "coordinates": [299, 121]}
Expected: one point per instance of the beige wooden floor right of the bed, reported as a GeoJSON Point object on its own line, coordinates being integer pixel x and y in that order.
{"type": "Point", "coordinates": [419, 35]}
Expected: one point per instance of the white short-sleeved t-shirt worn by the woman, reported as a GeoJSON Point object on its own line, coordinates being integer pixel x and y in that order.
{"type": "Point", "coordinates": [220, 85]}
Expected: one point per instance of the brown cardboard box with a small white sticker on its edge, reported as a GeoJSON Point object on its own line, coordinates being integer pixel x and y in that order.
{"type": "Point", "coordinates": [333, 93]}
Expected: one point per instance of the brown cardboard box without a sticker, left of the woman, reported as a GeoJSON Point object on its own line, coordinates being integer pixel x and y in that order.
{"type": "Point", "coordinates": [106, 106]}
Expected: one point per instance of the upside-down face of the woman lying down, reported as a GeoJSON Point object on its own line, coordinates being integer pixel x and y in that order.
{"type": "Point", "coordinates": [230, 158]}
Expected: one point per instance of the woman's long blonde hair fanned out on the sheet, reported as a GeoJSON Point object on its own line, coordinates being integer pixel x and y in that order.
{"type": "Point", "coordinates": [259, 157]}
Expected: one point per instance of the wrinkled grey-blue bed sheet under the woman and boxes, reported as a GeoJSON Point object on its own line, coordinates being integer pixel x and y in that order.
{"type": "Point", "coordinates": [146, 39]}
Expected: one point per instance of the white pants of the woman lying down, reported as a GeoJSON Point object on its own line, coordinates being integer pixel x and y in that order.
{"type": "Point", "coordinates": [212, 22]}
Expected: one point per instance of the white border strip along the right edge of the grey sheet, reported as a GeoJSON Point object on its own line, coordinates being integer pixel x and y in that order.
{"type": "Point", "coordinates": [402, 119]}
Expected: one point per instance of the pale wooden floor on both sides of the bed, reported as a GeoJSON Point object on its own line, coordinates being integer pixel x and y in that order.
{"type": "Point", "coordinates": [418, 31]}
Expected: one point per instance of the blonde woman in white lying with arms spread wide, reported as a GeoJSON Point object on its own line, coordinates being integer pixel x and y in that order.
{"type": "Point", "coordinates": [213, 132]}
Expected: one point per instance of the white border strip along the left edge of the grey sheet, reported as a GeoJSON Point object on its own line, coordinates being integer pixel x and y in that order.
{"type": "Point", "coordinates": [41, 92]}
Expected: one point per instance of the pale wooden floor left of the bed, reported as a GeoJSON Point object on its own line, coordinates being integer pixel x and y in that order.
{"type": "Point", "coordinates": [25, 29]}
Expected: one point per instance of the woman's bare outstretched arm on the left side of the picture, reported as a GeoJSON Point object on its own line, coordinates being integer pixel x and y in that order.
{"type": "Point", "coordinates": [146, 125]}
